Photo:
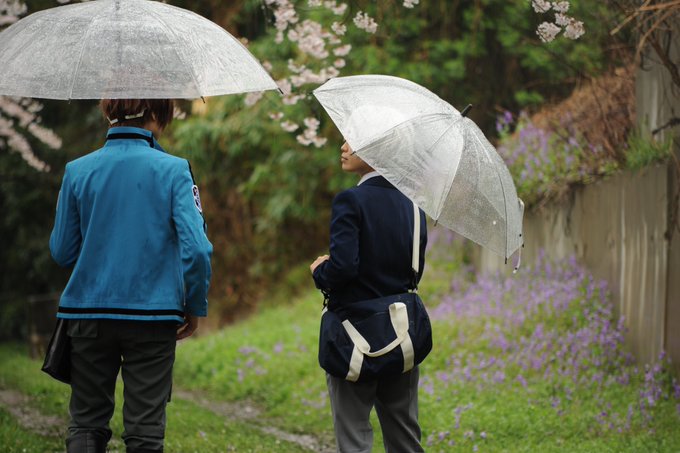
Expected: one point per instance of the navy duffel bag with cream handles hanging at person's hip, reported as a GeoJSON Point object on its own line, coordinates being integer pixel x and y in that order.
{"type": "Point", "coordinates": [375, 338]}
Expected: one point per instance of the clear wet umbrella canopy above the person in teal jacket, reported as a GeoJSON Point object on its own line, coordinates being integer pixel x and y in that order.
{"type": "Point", "coordinates": [124, 49]}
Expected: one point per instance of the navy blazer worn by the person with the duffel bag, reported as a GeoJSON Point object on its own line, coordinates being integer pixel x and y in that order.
{"type": "Point", "coordinates": [371, 244]}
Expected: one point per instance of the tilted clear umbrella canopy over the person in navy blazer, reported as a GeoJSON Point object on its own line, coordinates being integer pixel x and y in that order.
{"type": "Point", "coordinates": [434, 155]}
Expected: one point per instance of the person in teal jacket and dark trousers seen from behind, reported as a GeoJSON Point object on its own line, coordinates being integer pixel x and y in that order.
{"type": "Point", "coordinates": [129, 221]}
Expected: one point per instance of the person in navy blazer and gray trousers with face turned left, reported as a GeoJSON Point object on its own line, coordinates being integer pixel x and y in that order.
{"type": "Point", "coordinates": [371, 236]}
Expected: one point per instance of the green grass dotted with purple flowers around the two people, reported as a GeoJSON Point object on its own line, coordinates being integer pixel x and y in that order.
{"type": "Point", "coordinates": [531, 363]}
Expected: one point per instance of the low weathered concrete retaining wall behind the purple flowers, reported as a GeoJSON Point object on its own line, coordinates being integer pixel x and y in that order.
{"type": "Point", "coordinates": [616, 229]}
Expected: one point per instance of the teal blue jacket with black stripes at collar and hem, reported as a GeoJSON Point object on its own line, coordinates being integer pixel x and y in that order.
{"type": "Point", "coordinates": [129, 220]}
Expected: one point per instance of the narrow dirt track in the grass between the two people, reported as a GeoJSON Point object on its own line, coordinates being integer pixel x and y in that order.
{"type": "Point", "coordinates": [246, 411]}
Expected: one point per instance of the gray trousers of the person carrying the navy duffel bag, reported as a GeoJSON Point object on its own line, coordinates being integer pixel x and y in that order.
{"type": "Point", "coordinates": [396, 403]}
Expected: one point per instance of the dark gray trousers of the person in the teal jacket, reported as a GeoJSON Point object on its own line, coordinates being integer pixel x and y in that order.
{"type": "Point", "coordinates": [145, 352]}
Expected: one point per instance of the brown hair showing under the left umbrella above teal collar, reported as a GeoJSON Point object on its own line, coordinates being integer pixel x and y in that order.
{"type": "Point", "coordinates": [160, 110]}
